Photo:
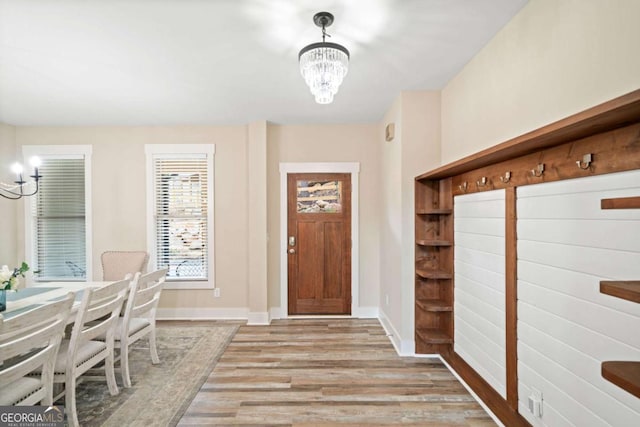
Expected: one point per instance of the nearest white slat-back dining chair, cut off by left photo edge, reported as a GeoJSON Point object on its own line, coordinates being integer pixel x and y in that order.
{"type": "Point", "coordinates": [29, 342]}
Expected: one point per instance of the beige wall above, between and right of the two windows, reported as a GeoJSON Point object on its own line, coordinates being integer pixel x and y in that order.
{"type": "Point", "coordinates": [119, 198]}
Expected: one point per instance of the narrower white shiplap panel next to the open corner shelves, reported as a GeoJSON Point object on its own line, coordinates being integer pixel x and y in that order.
{"type": "Point", "coordinates": [479, 299]}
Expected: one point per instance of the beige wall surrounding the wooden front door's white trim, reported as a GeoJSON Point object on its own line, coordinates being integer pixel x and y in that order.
{"type": "Point", "coordinates": [328, 143]}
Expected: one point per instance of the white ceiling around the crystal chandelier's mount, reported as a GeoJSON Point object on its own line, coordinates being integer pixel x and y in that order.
{"type": "Point", "coordinates": [181, 62]}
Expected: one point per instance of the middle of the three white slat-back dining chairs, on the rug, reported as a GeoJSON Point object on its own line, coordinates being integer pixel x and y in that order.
{"type": "Point", "coordinates": [96, 316]}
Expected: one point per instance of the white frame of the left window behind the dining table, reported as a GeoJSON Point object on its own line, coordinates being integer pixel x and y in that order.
{"type": "Point", "coordinates": [60, 152]}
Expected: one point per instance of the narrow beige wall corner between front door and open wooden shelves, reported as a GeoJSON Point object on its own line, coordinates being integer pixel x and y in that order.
{"type": "Point", "coordinates": [414, 150]}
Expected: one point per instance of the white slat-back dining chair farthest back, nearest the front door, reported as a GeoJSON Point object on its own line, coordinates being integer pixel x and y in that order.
{"type": "Point", "coordinates": [139, 318]}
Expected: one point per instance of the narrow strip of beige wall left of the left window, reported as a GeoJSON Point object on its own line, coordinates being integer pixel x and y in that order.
{"type": "Point", "coordinates": [8, 208]}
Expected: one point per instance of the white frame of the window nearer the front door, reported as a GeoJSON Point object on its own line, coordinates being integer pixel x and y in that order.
{"type": "Point", "coordinates": [180, 150]}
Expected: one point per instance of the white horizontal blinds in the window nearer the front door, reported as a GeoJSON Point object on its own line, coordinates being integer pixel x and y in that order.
{"type": "Point", "coordinates": [181, 211]}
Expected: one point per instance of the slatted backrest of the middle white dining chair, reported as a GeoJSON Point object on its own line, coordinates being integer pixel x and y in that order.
{"type": "Point", "coordinates": [99, 309]}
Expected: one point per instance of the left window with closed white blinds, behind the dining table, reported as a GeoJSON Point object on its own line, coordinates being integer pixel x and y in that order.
{"type": "Point", "coordinates": [57, 226]}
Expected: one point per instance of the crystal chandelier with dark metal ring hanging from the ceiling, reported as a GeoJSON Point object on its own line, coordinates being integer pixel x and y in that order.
{"type": "Point", "coordinates": [323, 65]}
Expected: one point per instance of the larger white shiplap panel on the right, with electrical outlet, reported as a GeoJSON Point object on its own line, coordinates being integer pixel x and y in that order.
{"type": "Point", "coordinates": [566, 327]}
